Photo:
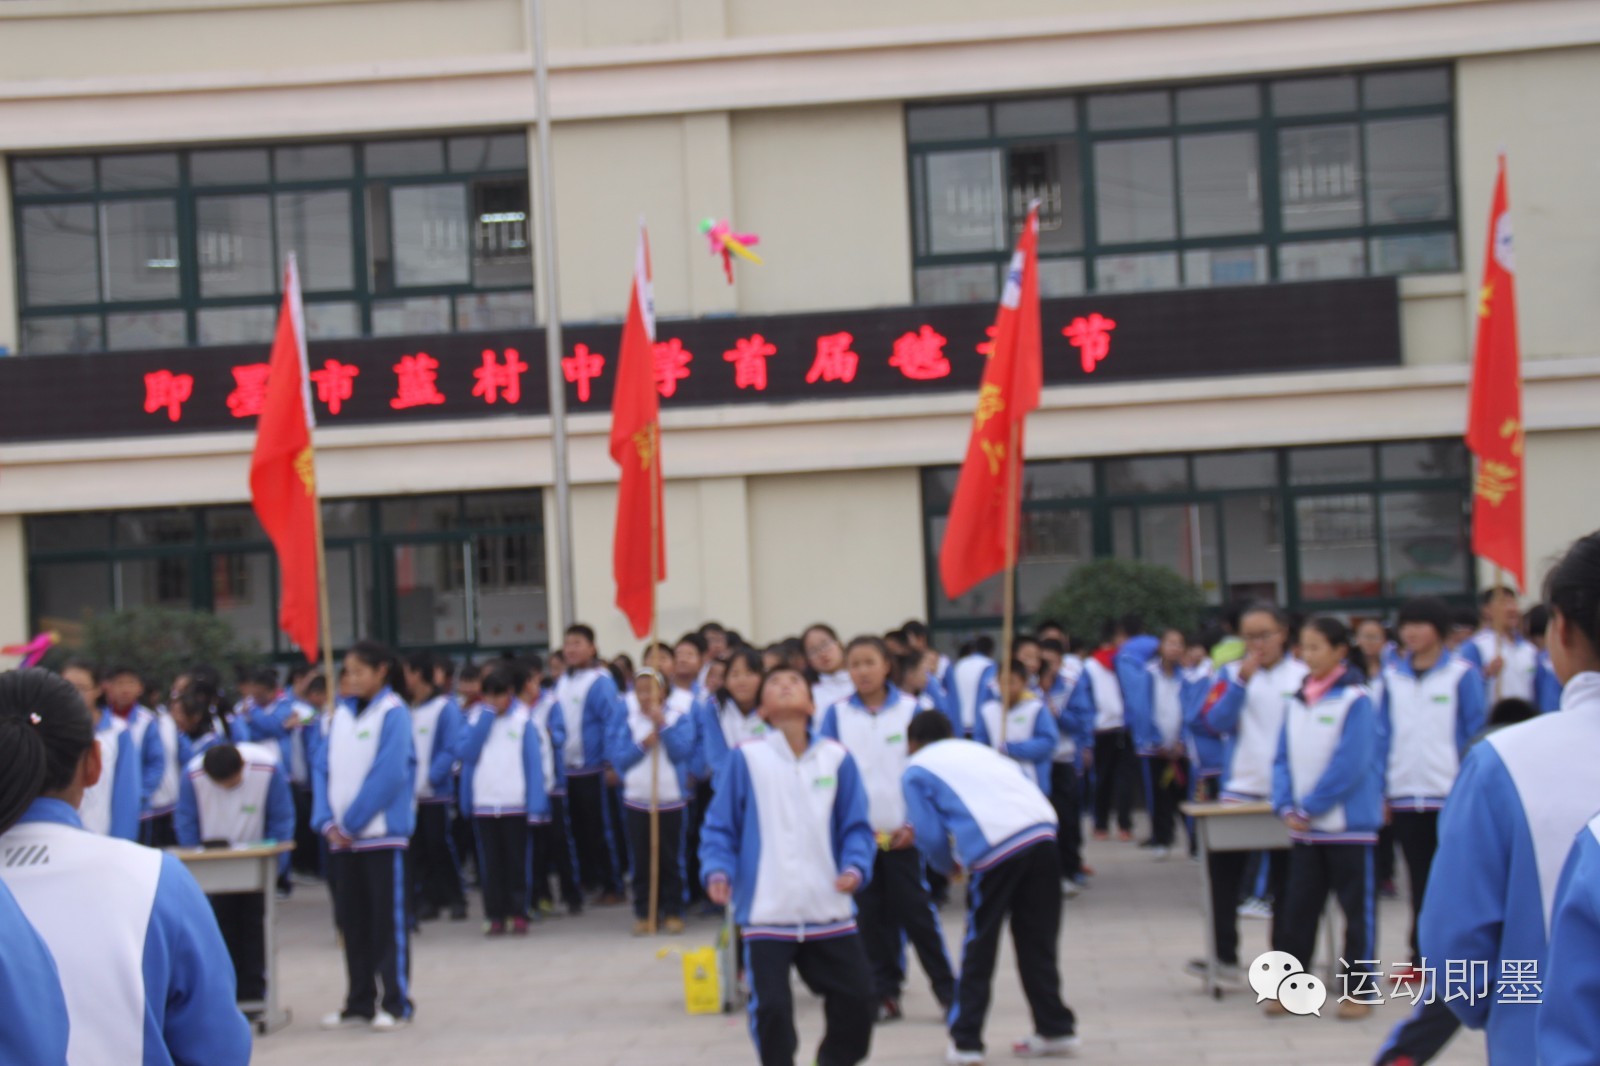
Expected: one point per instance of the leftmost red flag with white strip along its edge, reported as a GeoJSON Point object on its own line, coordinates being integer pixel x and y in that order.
{"type": "Point", "coordinates": [284, 473]}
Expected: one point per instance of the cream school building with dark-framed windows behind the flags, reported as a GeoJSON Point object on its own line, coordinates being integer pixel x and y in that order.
{"type": "Point", "coordinates": [1263, 231]}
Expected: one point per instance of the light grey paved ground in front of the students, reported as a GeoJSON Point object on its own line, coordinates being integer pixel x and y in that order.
{"type": "Point", "coordinates": [582, 992]}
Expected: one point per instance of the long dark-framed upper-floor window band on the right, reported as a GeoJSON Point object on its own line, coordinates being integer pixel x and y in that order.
{"type": "Point", "coordinates": [1231, 183]}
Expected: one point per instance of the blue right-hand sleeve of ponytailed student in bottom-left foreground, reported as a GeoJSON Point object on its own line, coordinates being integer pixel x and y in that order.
{"type": "Point", "coordinates": [186, 958]}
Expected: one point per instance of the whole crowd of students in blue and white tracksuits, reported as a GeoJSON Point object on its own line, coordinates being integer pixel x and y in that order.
{"type": "Point", "coordinates": [825, 791]}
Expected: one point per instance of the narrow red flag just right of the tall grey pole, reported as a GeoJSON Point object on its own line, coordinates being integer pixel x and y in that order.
{"type": "Point", "coordinates": [636, 446]}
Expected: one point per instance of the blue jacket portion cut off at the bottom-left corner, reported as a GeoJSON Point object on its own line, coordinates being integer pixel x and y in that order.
{"type": "Point", "coordinates": [31, 990]}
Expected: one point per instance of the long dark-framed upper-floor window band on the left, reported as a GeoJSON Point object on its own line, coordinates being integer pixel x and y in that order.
{"type": "Point", "coordinates": [175, 249]}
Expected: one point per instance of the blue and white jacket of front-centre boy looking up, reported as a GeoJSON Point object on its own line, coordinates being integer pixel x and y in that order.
{"type": "Point", "coordinates": [783, 828]}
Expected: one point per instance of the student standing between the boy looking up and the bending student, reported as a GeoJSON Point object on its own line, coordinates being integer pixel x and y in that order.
{"type": "Point", "coordinates": [895, 905]}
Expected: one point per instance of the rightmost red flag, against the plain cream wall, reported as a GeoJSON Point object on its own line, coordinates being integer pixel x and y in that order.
{"type": "Point", "coordinates": [1495, 414]}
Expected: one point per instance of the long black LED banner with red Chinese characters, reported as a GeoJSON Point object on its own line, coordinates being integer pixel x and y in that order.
{"type": "Point", "coordinates": [775, 359]}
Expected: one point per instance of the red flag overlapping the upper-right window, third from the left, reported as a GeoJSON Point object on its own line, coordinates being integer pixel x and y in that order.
{"type": "Point", "coordinates": [977, 534]}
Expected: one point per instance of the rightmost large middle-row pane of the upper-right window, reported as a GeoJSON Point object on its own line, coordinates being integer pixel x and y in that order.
{"type": "Point", "coordinates": [1409, 170]}
